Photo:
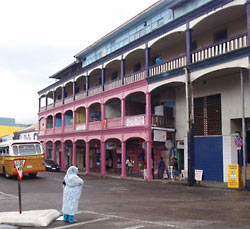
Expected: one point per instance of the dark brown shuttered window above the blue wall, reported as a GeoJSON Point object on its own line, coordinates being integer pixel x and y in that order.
{"type": "Point", "coordinates": [207, 115]}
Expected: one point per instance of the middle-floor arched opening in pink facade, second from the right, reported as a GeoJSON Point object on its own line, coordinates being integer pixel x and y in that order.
{"type": "Point", "coordinates": [113, 108]}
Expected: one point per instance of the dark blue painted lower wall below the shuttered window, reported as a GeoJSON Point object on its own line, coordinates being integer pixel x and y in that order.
{"type": "Point", "coordinates": [209, 157]}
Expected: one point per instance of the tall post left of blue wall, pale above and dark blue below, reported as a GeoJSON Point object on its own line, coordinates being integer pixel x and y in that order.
{"type": "Point", "coordinates": [190, 128]}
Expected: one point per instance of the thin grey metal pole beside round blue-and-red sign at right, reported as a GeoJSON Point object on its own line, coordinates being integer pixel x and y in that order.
{"type": "Point", "coordinates": [243, 125]}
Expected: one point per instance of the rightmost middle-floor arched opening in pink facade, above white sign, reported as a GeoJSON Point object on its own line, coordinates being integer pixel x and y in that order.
{"type": "Point", "coordinates": [135, 104]}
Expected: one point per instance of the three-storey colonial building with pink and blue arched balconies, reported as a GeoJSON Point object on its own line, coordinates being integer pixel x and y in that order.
{"type": "Point", "coordinates": [128, 94]}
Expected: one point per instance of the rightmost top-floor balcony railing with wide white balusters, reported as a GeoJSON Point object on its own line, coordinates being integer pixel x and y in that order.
{"type": "Point", "coordinates": [220, 48]}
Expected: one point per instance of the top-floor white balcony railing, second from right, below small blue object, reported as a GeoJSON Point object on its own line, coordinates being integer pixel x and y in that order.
{"type": "Point", "coordinates": [168, 65]}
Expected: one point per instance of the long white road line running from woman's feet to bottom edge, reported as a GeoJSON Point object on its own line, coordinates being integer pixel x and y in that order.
{"type": "Point", "coordinates": [134, 220]}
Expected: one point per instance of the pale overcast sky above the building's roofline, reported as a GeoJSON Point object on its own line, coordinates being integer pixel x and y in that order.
{"type": "Point", "coordinates": [40, 37]}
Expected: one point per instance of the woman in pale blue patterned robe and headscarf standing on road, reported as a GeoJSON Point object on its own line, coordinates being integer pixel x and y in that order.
{"type": "Point", "coordinates": [72, 190]}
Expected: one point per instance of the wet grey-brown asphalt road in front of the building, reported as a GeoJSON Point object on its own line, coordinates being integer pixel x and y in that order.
{"type": "Point", "coordinates": [131, 204]}
